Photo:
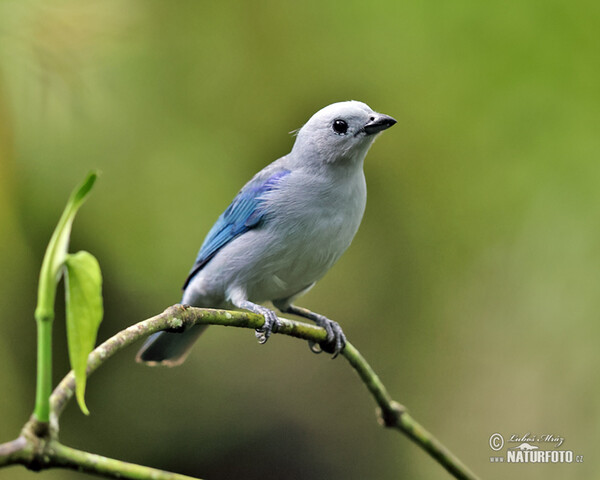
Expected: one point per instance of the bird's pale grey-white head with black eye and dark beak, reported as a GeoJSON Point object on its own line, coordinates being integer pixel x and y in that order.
{"type": "Point", "coordinates": [341, 131]}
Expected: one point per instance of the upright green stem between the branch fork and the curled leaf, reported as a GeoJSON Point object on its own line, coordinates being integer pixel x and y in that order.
{"type": "Point", "coordinates": [44, 369]}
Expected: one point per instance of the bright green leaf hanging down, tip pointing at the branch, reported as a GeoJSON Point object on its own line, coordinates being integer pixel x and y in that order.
{"type": "Point", "coordinates": [83, 282]}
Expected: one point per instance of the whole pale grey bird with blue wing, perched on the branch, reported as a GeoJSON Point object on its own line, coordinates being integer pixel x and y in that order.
{"type": "Point", "coordinates": [283, 231]}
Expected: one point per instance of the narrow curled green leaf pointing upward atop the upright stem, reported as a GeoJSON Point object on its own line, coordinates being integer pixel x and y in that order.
{"type": "Point", "coordinates": [57, 250]}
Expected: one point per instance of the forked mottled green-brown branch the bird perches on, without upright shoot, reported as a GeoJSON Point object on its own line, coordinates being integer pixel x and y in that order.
{"type": "Point", "coordinates": [54, 454]}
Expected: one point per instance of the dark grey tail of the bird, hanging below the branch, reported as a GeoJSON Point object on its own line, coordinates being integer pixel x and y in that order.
{"type": "Point", "coordinates": [167, 348]}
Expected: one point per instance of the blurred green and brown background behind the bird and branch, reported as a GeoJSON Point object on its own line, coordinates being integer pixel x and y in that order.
{"type": "Point", "coordinates": [472, 286]}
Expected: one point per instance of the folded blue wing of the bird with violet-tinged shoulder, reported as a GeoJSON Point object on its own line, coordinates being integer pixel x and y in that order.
{"type": "Point", "coordinates": [245, 212]}
